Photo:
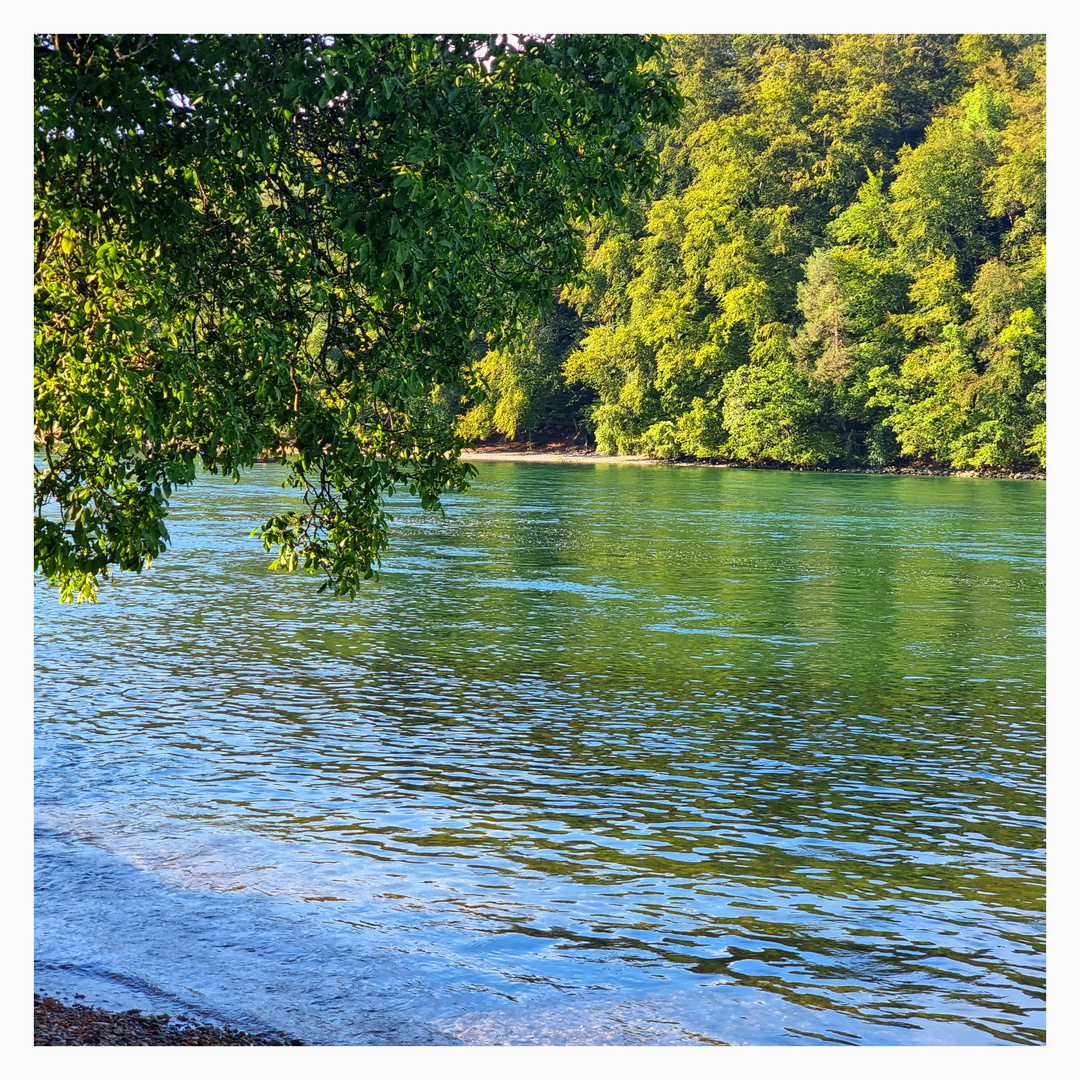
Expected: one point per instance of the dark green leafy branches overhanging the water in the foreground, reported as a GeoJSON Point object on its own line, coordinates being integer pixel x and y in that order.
{"type": "Point", "coordinates": [249, 242]}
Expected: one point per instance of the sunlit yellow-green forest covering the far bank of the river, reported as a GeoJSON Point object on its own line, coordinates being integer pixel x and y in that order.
{"type": "Point", "coordinates": [843, 263]}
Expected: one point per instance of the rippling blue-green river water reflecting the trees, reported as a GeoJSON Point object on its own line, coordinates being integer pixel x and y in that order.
{"type": "Point", "coordinates": [610, 754]}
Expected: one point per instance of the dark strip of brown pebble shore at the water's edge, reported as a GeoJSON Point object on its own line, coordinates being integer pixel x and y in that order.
{"type": "Point", "coordinates": [57, 1024]}
